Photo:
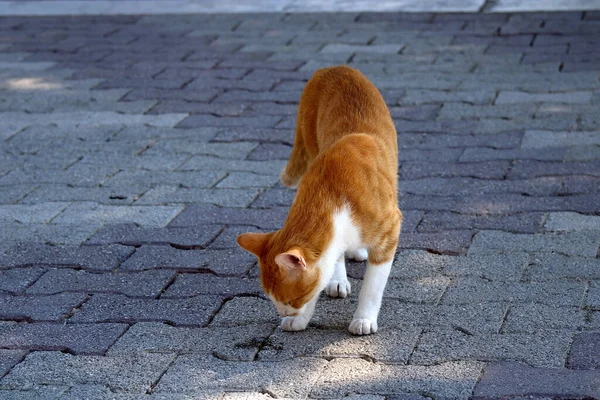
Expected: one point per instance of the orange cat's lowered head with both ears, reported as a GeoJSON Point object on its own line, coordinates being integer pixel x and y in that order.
{"type": "Point", "coordinates": [288, 276]}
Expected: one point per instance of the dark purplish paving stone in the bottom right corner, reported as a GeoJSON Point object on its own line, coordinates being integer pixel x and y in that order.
{"type": "Point", "coordinates": [507, 379]}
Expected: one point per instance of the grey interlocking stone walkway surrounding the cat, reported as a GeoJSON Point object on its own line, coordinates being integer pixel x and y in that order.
{"type": "Point", "coordinates": [135, 149]}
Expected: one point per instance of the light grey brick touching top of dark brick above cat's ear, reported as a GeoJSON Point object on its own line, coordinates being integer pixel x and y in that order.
{"type": "Point", "coordinates": [225, 197]}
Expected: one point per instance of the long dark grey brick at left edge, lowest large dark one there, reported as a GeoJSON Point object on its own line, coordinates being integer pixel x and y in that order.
{"type": "Point", "coordinates": [77, 339]}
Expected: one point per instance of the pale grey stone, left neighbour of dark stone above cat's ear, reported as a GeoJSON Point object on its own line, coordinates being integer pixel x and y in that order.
{"type": "Point", "coordinates": [98, 213]}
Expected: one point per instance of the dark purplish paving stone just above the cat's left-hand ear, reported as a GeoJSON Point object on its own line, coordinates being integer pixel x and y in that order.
{"type": "Point", "coordinates": [209, 214]}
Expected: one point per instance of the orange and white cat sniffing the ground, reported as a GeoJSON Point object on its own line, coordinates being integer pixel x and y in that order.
{"type": "Point", "coordinates": [345, 165]}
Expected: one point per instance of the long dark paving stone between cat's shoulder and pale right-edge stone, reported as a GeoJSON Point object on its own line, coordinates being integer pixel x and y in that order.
{"type": "Point", "coordinates": [518, 223]}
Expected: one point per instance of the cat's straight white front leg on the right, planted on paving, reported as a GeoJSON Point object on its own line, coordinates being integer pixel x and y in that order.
{"type": "Point", "coordinates": [364, 321]}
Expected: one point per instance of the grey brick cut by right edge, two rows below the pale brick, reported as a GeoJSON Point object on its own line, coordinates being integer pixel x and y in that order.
{"type": "Point", "coordinates": [550, 267]}
